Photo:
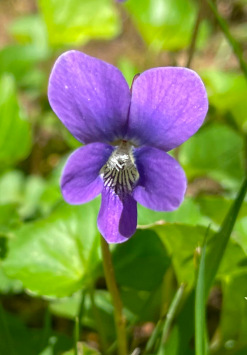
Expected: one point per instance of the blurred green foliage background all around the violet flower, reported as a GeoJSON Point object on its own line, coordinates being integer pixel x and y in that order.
{"type": "Point", "coordinates": [50, 262]}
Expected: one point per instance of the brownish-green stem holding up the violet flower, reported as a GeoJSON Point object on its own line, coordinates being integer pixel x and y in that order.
{"type": "Point", "coordinates": [117, 303]}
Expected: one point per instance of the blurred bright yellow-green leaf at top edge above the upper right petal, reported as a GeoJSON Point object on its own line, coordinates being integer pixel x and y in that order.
{"type": "Point", "coordinates": [165, 24]}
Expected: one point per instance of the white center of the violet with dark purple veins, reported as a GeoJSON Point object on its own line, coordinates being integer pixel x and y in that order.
{"type": "Point", "coordinates": [120, 173]}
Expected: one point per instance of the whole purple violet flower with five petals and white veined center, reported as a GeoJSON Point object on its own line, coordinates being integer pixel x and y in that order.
{"type": "Point", "coordinates": [126, 135]}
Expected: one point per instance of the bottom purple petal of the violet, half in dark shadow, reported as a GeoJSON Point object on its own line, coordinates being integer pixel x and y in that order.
{"type": "Point", "coordinates": [117, 217]}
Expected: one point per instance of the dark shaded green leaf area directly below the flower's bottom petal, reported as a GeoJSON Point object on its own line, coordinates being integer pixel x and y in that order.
{"type": "Point", "coordinates": [141, 262]}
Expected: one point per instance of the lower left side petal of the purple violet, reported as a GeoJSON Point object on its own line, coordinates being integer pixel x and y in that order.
{"type": "Point", "coordinates": [80, 181]}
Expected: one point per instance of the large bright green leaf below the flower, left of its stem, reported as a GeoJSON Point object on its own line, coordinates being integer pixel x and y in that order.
{"type": "Point", "coordinates": [58, 255]}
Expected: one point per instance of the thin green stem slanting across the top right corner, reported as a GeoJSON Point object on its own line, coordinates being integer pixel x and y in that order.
{"type": "Point", "coordinates": [233, 43]}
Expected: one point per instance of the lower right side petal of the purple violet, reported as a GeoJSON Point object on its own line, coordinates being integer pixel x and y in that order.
{"type": "Point", "coordinates": [162, 181]}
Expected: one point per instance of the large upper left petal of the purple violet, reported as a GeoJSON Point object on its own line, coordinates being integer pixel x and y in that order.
{"type": "Point", "coordinates": [90, 97]}
